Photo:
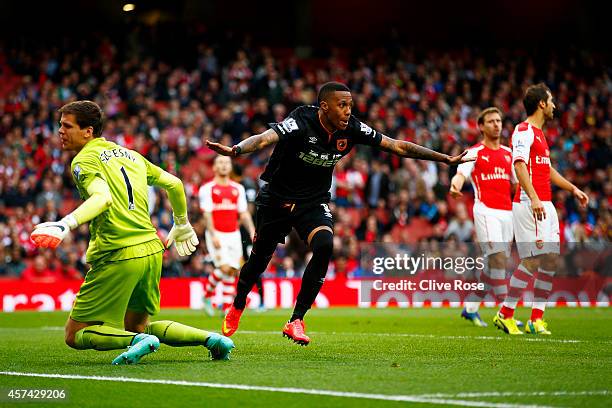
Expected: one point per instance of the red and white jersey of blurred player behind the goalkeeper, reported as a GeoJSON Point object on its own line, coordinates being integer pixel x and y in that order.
{"type": "Point", "coordinates": [225, 202]}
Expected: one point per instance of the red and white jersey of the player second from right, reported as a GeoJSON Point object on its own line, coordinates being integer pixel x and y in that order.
{"type": "Point", "coordinates": [491, 174]}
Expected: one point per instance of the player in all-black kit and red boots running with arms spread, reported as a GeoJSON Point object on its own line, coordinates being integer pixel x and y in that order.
{"type": "Point", "coordinates": [309, 142]}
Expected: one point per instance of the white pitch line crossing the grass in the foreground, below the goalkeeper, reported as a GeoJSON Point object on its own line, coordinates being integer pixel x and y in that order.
{"type": "Point", "coordinates": [328, 393]}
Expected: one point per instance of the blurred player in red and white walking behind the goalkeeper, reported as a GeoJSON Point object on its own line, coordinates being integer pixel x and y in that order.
{"type": "Point", "coordinates": [223, 202]}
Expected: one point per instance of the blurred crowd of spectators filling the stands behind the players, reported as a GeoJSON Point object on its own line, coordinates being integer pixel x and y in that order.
{"type": "Point", "coordinates": [166, 111]}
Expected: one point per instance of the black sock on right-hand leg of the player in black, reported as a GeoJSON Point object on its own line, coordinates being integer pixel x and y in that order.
{"type": "Point", "coordinates": [314, 274]}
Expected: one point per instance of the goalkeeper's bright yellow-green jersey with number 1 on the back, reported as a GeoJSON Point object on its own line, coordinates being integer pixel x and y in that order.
{"type": "Point", "coordinates": [127, 222]}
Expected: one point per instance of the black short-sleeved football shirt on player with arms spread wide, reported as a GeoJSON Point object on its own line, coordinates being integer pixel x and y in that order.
{"type": "Point", "coordinates": [302, 163]}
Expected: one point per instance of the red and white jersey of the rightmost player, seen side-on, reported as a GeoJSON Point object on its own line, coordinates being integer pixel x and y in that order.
{"type": "Point", "coordinates": [530, 146]}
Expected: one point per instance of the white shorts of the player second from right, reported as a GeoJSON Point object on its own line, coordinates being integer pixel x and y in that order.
{"type": "Point", "coordinates": [494, 230]}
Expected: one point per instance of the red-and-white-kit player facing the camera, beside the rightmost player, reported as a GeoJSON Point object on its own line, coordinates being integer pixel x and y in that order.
{"type": "Point", "coordinates": [491, 174]}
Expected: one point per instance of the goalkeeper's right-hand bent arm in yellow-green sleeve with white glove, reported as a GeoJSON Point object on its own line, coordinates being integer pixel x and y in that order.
{"type": "Point", "coordinates": [182, 233]}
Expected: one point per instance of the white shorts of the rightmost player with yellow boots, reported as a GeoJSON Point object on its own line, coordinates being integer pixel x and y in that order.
{"type": "Point", "coordinates": [535, 237]}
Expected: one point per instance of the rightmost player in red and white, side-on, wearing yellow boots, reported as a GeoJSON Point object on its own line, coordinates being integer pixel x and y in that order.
{"type": "Point", "coordinates": [536, 226]}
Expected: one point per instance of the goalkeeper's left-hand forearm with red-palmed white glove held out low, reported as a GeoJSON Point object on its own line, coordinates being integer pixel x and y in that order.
{"type": "Point", "coordinates": [51, 234]}
